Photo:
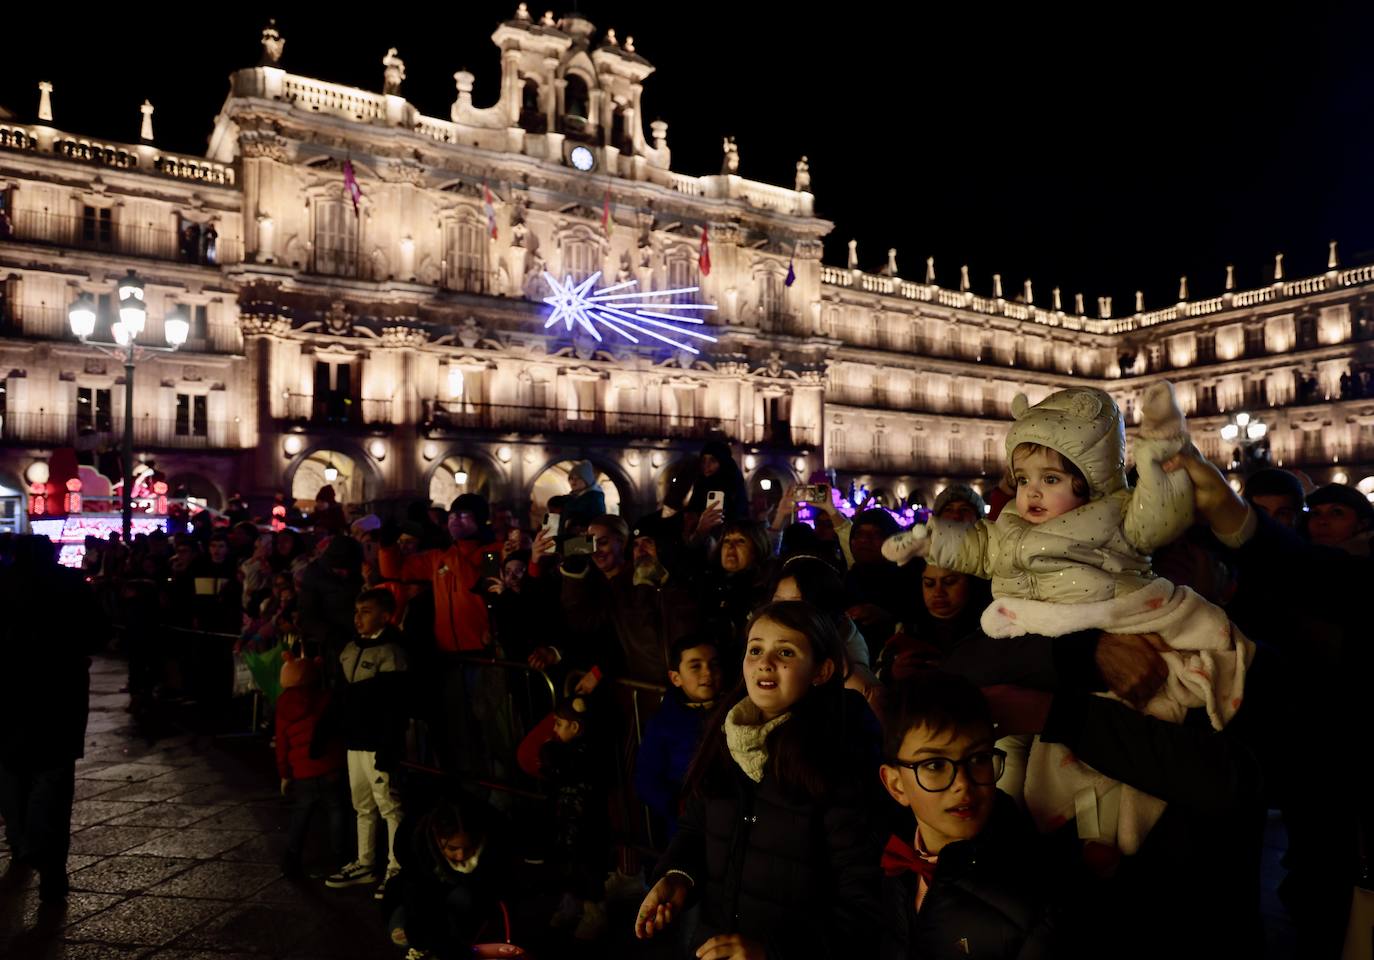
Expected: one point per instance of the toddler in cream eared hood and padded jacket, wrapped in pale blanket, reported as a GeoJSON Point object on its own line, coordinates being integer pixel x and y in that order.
{"type": "Point", "coordinates": [1074, 554]}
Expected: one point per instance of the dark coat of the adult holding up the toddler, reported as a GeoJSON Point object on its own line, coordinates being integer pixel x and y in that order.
{"type": "Point", "coordinates": [1200, 865]}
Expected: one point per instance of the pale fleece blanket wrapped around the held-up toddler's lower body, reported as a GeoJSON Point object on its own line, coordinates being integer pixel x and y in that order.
{"type": "Point", "coordinates": [1207, 670]}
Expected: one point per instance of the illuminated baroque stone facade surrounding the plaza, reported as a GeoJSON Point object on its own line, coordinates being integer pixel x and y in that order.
{"type": "Point", "coordinates": [403, 345]}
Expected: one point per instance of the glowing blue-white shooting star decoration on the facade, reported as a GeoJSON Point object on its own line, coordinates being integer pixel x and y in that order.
{"type": "Point", "coordinates": [627, 314]}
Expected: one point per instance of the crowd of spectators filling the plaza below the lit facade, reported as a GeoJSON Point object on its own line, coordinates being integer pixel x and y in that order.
{"type": "Point", "coordinates": [869, 825]}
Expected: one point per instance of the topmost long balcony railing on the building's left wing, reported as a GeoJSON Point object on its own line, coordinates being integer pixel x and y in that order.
{"type": "Point", "coordinates": [117, 237]}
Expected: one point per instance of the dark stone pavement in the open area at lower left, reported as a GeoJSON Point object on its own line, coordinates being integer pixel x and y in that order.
{"type": "Point", "coordinates": [175, 854]}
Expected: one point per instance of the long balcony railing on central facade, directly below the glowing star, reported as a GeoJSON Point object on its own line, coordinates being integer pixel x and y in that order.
{"type": "Point", "coordinates": [451, 417]}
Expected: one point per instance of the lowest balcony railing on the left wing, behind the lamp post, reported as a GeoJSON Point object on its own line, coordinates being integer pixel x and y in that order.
{"type": "Point", "coordinates": [108, 432]}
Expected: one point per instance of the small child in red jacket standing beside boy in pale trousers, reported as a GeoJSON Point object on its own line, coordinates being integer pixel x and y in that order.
{"type": "Point", "coordinates": [314, 778]}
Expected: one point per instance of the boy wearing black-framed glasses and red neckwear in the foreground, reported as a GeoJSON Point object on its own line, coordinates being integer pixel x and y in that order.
{"type": "Point", "coordinates": [968, 880]}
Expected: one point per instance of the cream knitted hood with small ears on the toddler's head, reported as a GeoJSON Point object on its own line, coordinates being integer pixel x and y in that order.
{"type": "Point", "coordinates": [1085, 426]}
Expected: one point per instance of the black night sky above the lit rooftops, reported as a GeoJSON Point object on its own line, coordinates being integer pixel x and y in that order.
{"type": "Point", "coordinates": [1085, 153]}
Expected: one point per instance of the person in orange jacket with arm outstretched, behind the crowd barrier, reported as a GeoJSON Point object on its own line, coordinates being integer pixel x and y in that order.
{"type": "Point", "coordinates": [461, 623]}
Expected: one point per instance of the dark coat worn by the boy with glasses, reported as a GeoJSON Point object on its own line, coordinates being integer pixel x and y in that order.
{"type": "Point", "coordinates": [990, 898]}
